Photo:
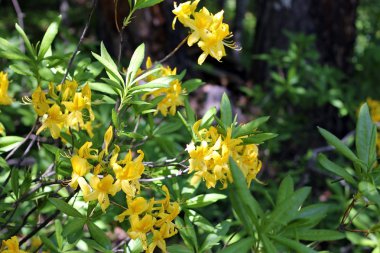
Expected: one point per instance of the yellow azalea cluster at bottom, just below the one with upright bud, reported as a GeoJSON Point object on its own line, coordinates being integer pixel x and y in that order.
{"type": "Point", "coordinates": [153, 216]}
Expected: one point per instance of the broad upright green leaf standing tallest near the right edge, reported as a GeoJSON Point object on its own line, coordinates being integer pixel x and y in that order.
{"type": "Point", "coordinates": [365, 139]}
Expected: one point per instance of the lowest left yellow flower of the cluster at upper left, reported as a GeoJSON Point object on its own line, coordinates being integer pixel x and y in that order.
{"type": "Point", "coordinates": [54, 121]}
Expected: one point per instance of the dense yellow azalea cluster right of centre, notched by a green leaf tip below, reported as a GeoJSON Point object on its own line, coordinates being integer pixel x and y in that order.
{"type": "Point", "coordinates": [209, 159]}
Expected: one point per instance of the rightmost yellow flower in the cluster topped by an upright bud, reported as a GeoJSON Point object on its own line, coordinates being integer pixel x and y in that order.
{"type": "Point", "coordinates": [128, 176]}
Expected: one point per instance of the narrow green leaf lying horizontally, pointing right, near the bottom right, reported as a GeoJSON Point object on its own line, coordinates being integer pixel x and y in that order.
{"type": "Point", "coordinates": [314, 234]}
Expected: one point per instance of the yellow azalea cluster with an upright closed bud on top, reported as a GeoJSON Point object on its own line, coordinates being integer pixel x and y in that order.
{"type": "Point", "coordinates": [127, 172]}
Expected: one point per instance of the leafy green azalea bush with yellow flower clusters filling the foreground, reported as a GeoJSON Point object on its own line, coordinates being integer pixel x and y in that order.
{"type": "Point", "coordinates": [119, 148]}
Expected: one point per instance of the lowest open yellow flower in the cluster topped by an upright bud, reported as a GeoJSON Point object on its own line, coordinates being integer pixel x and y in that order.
{"type": "Point", "coordinates": [101, 189]}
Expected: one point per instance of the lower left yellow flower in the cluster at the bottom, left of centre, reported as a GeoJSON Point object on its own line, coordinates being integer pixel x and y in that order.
{"type": "Point", "coordinates": [139, 228]}
